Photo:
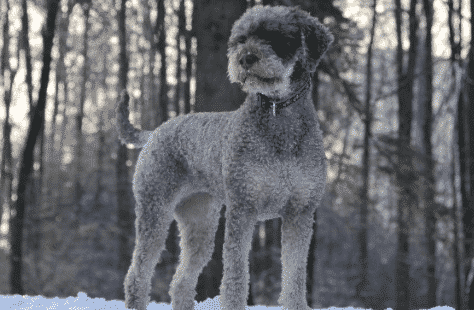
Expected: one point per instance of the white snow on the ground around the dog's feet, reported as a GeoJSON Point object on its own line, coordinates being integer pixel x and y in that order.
{"type": "Point", "coordinates": [83, 302]}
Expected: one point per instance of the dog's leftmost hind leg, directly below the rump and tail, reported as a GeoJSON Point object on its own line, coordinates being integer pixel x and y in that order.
{"type": "Point", "coordinates": [151, 231]}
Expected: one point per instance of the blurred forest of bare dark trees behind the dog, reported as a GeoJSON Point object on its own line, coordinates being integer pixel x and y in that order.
{"type": "Point", "coordinates": [396, 225]}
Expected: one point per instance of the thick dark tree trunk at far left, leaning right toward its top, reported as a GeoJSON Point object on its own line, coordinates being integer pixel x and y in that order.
{"type": "Point", "coordinates": [17, 219]}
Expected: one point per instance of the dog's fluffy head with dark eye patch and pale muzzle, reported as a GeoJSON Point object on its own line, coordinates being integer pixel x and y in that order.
{"type": "Point", "coordinates": [271, 47]}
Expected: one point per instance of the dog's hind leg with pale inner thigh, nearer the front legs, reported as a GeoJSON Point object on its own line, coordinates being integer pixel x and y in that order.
{"type": "Point", "coordinates": [198, 219]}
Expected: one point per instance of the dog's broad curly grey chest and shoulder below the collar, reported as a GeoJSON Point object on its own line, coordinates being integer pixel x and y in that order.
{"type": "Point", "coordinates": [276, 163]}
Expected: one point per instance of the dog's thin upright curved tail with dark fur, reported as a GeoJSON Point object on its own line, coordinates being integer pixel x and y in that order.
{"type": "Point", "coordinates": [127, 133]}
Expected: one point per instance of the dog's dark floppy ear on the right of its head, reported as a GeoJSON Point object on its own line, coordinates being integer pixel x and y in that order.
{"type": "Point", "coordinates": [317, 39]}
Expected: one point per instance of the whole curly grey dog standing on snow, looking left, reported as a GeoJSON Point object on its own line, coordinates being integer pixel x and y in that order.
{"type": "Point", "coordinates": [264, 160]}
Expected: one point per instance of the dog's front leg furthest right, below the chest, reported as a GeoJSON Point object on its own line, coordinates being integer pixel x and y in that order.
{"type": "Point", "coordinates": [297, 228]}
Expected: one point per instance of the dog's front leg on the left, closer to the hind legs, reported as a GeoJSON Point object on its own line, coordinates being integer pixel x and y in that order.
{"type": "Point", "coordinates": [240, 223]}
